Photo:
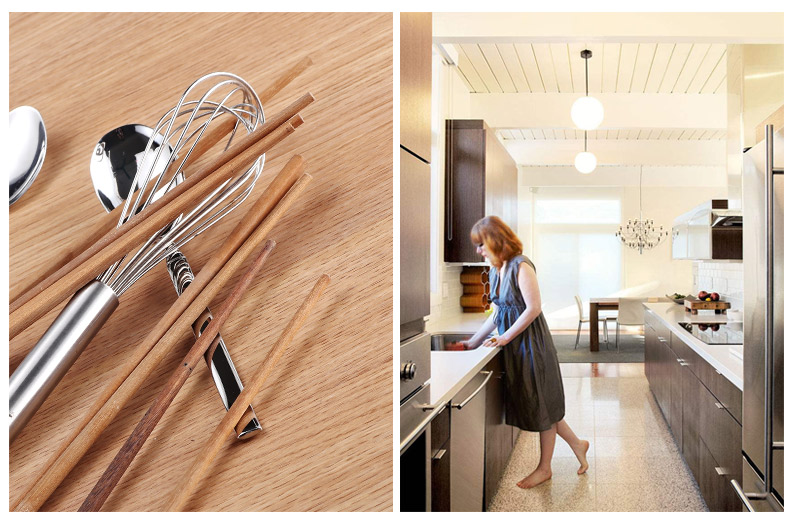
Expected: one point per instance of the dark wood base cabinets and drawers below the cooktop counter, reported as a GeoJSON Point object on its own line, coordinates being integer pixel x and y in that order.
{"type": "Point", "coordinates": [702, 409]}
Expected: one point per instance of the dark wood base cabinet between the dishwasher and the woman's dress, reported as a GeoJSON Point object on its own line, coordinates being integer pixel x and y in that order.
{"type": "Point", "coordinates": [499, 435]}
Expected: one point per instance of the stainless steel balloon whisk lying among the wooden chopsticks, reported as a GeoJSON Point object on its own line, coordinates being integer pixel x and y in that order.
{"type": "Point", "coordinates": [210, 98]}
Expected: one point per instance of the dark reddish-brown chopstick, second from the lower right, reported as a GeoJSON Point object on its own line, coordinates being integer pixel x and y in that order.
{"type": "Point", "coordinates": [101, 491]}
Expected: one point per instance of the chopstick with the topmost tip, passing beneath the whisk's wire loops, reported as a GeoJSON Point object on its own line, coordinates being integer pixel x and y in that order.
{"type": "Point", "coordinates": [213, 135]}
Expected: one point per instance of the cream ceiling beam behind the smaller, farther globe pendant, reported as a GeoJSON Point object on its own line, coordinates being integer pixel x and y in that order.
{"type": "Point", "coordinates": [619, 152]}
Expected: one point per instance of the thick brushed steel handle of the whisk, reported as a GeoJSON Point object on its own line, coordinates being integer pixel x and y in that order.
{"type": "Point", "coordinates": [56, 352]}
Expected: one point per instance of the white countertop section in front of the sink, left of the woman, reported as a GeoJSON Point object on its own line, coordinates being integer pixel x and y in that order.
{"type": "Point", "coordinates": [452, 370]}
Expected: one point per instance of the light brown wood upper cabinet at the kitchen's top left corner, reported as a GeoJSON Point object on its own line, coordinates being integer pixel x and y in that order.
{"type": "Point", "coordinates": [415, 84]}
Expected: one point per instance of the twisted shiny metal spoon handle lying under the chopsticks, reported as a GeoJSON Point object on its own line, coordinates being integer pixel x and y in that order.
{"type": "Point", "coordinates": [223, 372]}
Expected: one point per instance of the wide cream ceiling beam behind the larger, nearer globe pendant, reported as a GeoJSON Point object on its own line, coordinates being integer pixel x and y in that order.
{"type": "Point", "coordinates": [620, 110]}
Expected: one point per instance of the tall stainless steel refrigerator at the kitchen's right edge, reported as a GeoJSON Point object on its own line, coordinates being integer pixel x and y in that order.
{"type": "Point", "coordinates": [763, 351]}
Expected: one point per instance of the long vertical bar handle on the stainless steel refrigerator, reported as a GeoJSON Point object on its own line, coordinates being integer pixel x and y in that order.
{"type": "Point", "coordinates": [769, 304]}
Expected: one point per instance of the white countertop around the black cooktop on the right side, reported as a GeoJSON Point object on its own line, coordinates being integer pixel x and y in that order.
{"type": "Point", "coordinates": [719, 356]}
